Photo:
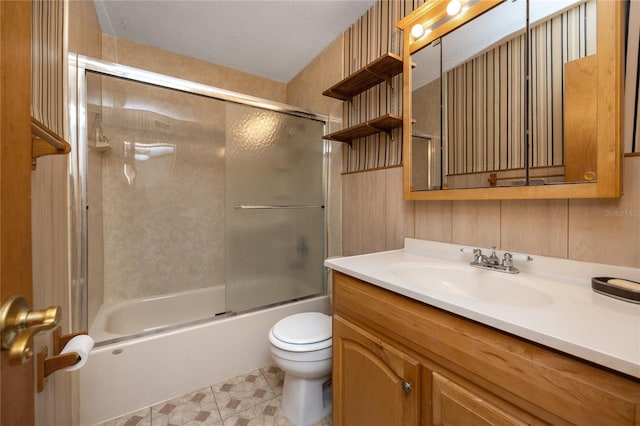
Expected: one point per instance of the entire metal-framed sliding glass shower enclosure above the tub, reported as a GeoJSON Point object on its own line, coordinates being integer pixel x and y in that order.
{"type": "Point", "coordinates": [189, 201]}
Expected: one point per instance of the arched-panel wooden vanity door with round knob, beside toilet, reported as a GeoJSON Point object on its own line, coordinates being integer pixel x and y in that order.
{"type": "Point", "coordinates": [374, 383]}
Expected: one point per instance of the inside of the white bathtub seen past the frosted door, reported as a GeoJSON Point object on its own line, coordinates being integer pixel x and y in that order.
{"type": "Point", "coordinates": [136, 316]}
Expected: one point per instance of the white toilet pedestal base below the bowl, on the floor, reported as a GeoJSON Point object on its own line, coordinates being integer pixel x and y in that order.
{"type": "Point", "coordinates": [303, 400]}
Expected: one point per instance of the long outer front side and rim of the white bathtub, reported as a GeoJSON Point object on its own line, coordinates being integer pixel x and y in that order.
{"type": "Point", "coordinates": [123, 377]}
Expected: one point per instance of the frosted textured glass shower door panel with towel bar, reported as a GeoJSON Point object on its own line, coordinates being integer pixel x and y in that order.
{"type": "Point", "coordinates": [274, 207]}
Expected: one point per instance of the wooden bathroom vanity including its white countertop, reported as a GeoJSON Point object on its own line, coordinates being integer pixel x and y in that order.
{"type": "Point", "coordinates": [408, 351]}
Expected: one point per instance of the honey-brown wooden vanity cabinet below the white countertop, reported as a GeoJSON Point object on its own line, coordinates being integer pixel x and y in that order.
{"type": "Point", "coordinates": [401, 362]}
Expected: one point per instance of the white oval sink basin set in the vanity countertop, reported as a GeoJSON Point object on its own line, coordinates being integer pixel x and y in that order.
{"type": "Point", "coordinates": [472, 283]}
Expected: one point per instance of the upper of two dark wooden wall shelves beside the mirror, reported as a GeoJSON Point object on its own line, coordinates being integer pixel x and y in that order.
{"type": "Point", "coordinates": [378, 71]}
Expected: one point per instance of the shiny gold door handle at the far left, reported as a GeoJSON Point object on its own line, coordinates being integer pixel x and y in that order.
{"type": "Point", "coordinates": [18, 325]}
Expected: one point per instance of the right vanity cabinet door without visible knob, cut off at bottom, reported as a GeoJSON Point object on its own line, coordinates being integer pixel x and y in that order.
{"type": "Point", "coordinates": [455, 405]}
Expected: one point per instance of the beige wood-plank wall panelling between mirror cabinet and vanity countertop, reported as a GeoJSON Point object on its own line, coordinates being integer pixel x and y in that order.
{"type": "Point", "coordinates": [375, 217]}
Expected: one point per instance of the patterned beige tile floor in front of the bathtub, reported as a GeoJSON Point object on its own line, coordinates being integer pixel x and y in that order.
{"type": "Point", "coordinates": [252, 399]}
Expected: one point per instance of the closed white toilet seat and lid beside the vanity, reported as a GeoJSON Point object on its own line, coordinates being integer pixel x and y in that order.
{"type": "Point", "coordinates": [305, 332]}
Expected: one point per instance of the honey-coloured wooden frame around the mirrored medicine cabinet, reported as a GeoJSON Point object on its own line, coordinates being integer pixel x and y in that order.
{"type": "Point", "coordinates": [610, 79]}
